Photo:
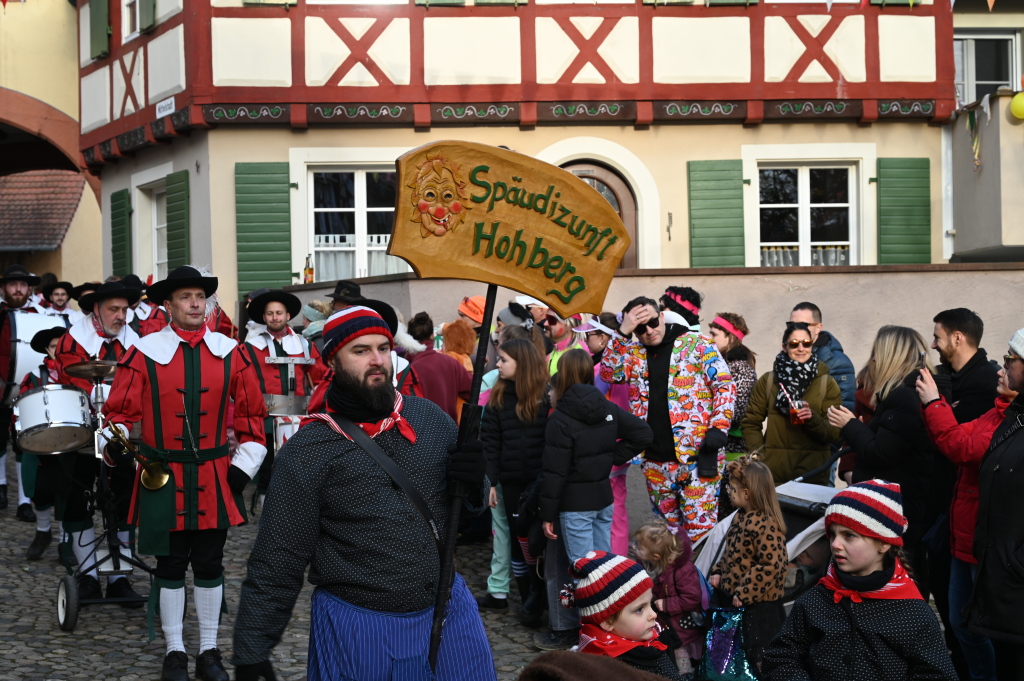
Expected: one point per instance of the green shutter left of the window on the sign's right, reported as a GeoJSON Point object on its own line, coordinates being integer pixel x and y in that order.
{"type": "Point", "coordinates": [716, 199]}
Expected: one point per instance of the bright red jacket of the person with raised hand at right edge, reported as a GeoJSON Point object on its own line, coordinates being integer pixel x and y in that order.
{"type": "Point", "coordinates": [965, 445]}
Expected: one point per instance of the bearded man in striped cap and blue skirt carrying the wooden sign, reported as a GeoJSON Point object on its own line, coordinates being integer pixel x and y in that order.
{"type": "Point", "coordinates": [333, 509]}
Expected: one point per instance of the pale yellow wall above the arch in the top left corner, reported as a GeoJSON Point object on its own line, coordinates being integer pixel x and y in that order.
{"type": "Point", "coordinates": [39, 53]}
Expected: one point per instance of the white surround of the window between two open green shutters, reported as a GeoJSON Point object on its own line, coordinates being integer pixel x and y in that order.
{"type": "Point", "coordinates": [864, 206]}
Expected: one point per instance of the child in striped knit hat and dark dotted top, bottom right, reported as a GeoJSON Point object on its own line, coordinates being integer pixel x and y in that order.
{"type": "Point", "coordinates": [866, 620]}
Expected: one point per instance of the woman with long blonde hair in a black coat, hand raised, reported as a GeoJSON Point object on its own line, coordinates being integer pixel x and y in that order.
{"type": "Point", "coordinates": [895, 445]}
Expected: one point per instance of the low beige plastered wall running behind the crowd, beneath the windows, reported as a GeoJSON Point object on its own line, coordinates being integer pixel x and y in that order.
{"type": "Point", "coordinates": [855, 306]}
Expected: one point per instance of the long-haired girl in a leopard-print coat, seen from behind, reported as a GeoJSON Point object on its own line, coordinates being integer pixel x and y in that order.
{"type": "Point", "coordinates": [753, 566]}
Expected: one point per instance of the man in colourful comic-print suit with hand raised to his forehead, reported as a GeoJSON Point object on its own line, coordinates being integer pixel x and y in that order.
{"type": "Point", "coordinates": [682, 388]}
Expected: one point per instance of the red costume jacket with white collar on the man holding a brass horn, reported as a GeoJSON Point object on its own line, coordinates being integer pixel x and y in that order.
{"type": "Point", "coordinates": [181, 395]}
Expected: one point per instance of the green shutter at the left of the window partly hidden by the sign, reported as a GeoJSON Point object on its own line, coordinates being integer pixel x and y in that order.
{"type": "Point", "coordinates": [264, 226]}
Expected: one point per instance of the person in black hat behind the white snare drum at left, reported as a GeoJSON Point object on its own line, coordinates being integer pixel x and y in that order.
{"type": "Point", "coordinates": [36, 477]}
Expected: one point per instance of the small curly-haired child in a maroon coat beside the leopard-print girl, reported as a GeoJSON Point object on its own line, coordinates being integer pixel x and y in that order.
{"type": "Point", "coordinates": [678, 591]}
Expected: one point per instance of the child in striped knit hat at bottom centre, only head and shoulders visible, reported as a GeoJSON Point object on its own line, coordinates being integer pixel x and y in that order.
{"type": "Point", "coordinates": [614, 598]}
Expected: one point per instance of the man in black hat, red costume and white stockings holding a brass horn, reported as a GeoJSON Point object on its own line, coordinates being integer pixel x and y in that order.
{"type": "Point", "coordinates": [179, 382]}
